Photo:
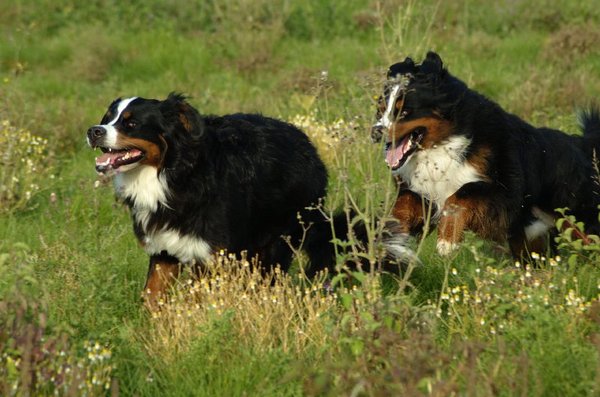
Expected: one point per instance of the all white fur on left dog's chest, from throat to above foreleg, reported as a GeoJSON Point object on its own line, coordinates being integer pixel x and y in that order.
{"type": "Point", "coordinates": [146, 189]}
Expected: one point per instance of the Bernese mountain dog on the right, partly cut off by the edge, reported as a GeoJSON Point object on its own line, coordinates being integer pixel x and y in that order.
{"type": "Point", "coordinates": [477, 167]}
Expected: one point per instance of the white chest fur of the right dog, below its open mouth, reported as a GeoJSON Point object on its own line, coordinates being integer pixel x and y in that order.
{"type": "Point", "coordinates": [437, 173]}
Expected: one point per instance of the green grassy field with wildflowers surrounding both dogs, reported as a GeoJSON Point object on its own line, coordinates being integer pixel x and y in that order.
{"type": "Point", "coordinates": [476, 324]}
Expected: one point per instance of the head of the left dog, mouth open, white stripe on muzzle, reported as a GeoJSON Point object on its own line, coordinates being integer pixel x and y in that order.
{"type": "Point", "coordinates": [137, 131]}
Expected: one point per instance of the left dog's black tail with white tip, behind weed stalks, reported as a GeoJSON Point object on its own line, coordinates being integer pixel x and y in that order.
{"type": "Point", "coordinates": [329, 240]}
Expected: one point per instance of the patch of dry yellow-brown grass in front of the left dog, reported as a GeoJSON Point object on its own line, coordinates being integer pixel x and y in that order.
{"type": "Point", "coordinates": [265, 311]}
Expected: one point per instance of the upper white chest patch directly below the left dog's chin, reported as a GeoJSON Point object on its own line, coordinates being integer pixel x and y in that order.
{"type": "Point", "coordinates": [144, 186]}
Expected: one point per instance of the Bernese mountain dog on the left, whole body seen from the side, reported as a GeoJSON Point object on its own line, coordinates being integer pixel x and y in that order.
{"type": "Point", "coordinates": [198, 184]}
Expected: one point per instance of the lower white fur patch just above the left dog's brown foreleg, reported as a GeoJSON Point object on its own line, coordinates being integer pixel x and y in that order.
{"type": "Point", "coordinates": [188, 249]}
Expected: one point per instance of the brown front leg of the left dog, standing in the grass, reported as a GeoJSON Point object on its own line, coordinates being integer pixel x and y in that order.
{"type": "Point", "coordinates": [162, 272]}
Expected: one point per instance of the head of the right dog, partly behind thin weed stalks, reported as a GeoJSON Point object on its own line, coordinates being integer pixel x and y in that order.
{"type": "Point", "coordinates": [415, 110]}
